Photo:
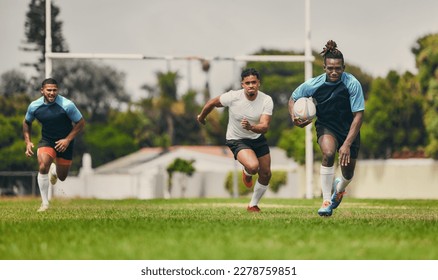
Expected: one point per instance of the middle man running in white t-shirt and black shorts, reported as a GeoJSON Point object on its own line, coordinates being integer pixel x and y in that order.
{"type": "Point", "coordinates": [250, 113]}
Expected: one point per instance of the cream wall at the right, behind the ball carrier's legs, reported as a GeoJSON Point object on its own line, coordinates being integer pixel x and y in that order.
{"type": "Point", "coordinates": [391, 179]}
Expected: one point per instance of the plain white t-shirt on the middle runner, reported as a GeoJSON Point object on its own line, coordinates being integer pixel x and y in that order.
{"type": "Point", "coordinates": [240, 107]}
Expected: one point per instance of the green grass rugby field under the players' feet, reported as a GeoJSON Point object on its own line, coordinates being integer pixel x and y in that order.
{"type": "Point", "coordinates": [218, 229]}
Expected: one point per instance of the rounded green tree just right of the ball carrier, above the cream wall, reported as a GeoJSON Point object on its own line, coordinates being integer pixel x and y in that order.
{"type": "Point", "coordinates": [394, 117]}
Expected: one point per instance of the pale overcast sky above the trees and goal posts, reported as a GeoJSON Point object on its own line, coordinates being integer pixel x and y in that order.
{"type": "Point", "coordinates": [376, 35]}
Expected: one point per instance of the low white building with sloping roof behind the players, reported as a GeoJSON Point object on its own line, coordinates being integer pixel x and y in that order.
{"type": "Point", "coordinates": [143, 175]}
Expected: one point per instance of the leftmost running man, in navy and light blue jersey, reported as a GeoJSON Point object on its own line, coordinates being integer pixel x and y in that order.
{"type": "Point", "coordinates": [61, 122]}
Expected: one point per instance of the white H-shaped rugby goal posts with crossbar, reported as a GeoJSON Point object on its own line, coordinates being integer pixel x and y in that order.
{"type": "Point", "coordinates": [307, 58]}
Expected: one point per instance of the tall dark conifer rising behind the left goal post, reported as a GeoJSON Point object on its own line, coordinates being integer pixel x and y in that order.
{"type": "Point", "coordinates": [35, 30]}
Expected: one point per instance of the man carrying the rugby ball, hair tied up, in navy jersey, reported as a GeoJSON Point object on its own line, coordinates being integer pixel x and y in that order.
{"type": "Point", "coordinates": [340, 106]}
